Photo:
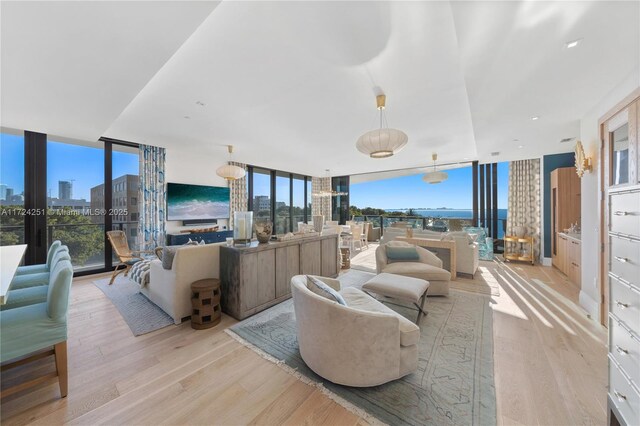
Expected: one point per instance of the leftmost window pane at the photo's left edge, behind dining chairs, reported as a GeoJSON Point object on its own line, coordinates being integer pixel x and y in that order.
{"type": "Point", "coordinates": [11, 189]}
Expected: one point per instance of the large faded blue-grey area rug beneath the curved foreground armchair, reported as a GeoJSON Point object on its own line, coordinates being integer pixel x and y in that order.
{"type": "Point", "coordinates": [454, 383]}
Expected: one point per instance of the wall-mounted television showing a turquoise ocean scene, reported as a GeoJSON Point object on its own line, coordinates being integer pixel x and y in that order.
{"type": "Point", "coordinates": [197, 202]}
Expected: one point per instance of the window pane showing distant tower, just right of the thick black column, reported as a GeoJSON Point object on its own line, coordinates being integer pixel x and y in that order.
{"type": "Point", "coordinates": [74, 169]}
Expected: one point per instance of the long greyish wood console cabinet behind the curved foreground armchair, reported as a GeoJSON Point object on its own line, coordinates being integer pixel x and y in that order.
{"type": "Point", "coordinates": [258, 276]}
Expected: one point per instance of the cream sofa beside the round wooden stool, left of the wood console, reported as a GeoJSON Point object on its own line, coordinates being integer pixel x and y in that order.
{"type": "Point", "coordinates": [171, 289]}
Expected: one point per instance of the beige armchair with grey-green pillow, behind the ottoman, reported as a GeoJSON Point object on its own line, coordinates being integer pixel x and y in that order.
{"type": "Point", "coordinates": [429, 268]}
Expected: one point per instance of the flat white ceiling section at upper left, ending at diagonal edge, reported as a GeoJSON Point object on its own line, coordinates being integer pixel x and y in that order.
{"type": "Point", "coordinates": [71, 68]}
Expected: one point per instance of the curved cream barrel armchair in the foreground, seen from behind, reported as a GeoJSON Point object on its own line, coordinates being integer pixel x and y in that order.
{"type": "Point", "coordinates": [362, 344]}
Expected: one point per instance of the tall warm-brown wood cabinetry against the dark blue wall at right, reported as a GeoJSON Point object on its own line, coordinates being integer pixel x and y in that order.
{"type": "Point", "coordinates": [565, 210]}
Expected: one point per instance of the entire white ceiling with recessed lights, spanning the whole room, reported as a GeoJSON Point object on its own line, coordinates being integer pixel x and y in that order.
{"type": "Point", "coordinates": [292, 84]}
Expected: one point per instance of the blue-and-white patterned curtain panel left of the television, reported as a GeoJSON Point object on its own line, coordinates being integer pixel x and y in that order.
{"type": "Point", "coordinates": [152, 196]}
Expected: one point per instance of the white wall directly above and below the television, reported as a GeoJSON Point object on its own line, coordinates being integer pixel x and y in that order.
{"type": "Point", "coordinates": [192, 166]}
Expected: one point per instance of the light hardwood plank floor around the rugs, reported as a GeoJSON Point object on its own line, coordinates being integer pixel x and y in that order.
{"type": "Point", "coordinates": [550, 366]}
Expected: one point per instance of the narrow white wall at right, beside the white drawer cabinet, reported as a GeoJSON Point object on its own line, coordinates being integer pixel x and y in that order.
{"type": "Point", "coordinates": [590, 193]}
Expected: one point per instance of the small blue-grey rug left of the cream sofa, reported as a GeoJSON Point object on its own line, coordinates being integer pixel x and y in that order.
{"type": "Point", "coordinates": [141, 315]}
